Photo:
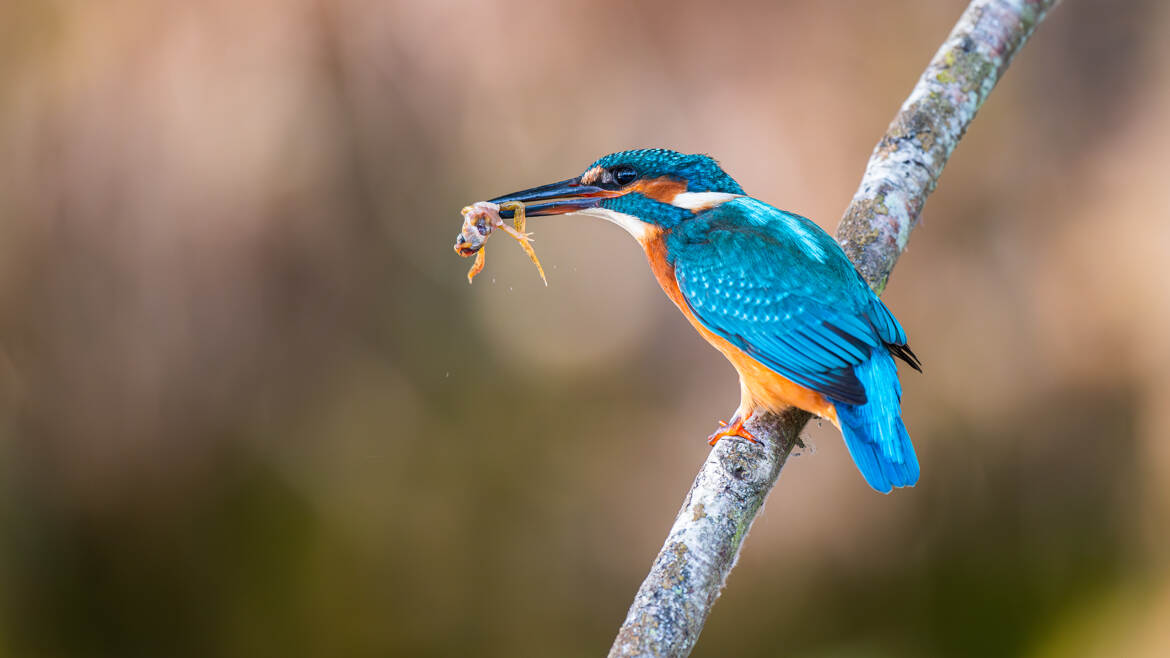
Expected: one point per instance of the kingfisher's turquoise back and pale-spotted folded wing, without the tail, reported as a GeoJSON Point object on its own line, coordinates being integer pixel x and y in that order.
{"type": "Point", "coordinates": [780, 289]}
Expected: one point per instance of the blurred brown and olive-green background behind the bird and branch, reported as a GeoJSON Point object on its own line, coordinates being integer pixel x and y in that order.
{"type": "Point", "coordinates": [251, 407]}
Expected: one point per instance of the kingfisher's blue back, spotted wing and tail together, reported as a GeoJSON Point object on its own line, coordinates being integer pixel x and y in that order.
{"type": "Point", "coordinates": [779, 287]}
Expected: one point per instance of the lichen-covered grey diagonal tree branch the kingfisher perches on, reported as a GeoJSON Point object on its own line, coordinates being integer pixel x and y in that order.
{"type": "Point", "coordinates": [689, 574]}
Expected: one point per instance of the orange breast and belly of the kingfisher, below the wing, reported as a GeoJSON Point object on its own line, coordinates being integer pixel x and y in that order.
{"type": "Point", "coordinates": [762, 387]}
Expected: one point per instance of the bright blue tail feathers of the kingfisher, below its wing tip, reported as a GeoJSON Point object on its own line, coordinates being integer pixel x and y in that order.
{"type": "Point", "coordinates": [875, 433]}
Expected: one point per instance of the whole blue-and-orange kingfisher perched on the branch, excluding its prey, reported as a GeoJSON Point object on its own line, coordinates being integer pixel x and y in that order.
{"type": "Point", "coordinates": [769, 289]}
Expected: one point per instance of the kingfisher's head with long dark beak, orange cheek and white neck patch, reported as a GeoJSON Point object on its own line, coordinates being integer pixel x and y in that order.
{"type": "Point", "coordinates": [636, 190]}
